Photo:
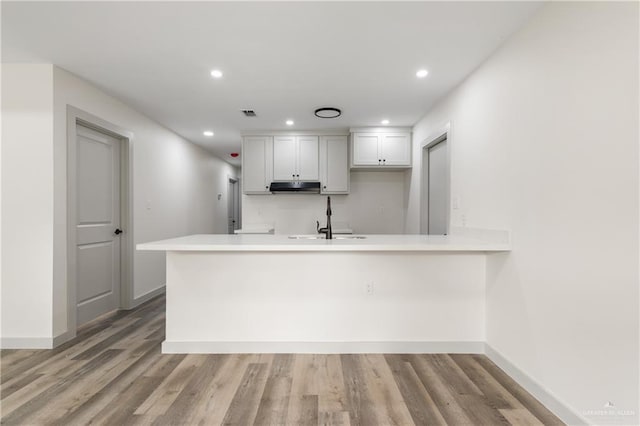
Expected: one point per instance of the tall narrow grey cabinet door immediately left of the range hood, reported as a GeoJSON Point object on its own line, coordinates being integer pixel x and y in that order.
{"type": "Point", "coordinates": [256, 164]}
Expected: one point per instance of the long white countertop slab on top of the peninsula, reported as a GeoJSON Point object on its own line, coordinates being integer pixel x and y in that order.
{"type": "Point", "coordinates": [280, 243]}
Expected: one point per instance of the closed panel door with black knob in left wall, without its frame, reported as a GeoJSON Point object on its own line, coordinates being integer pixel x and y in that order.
{"type": "Point", "coordinates": [98, 223]}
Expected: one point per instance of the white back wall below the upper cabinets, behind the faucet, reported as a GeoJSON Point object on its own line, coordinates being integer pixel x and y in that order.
{"type": "Point", "coordinates": [375, 205]}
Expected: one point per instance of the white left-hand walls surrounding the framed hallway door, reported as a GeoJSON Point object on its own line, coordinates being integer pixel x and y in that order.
{"type": "Point", "coordinates": [179, 181]}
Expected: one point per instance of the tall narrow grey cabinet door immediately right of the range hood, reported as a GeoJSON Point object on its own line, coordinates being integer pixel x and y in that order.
{"type": "Point", "coordinates": [334, 167]}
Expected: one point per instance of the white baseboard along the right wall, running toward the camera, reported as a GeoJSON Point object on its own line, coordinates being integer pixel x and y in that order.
{"type": "Point", "coordinates": [542, 394]}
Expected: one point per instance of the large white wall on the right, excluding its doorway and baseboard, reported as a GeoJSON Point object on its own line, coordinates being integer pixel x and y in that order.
{"type": "Point", "coordinates": [545, 142]}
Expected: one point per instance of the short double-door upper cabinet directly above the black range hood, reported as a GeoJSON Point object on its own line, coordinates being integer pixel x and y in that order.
{"type": "Point", "coordinates": [295, 158]}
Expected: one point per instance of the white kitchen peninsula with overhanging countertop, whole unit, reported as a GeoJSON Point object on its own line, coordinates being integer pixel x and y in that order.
{"type": "Point", "coordinates": [278, 293]}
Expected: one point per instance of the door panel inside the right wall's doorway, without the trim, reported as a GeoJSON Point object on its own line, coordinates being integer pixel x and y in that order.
{"type": "Point", "coordinates": [438, 191]}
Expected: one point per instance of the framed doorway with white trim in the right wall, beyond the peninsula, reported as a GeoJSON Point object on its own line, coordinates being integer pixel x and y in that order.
{"type": "Point", "coordinates": [435, 184]}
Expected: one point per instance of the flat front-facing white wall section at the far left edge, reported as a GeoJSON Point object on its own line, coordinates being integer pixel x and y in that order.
{"type": "Point", "coordinates": [27, 202]}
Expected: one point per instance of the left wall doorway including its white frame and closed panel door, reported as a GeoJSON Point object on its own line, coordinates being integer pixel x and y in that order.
{"type": "Point", "coordinates": [99, 219]}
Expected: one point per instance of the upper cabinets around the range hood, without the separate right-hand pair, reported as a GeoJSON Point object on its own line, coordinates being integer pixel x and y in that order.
{"type": "Point", "coordinates": [295, 158]}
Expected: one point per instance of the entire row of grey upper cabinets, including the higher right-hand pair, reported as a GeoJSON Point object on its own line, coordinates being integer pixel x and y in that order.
{"type": "Point", "coordinates": [323, 159]}
